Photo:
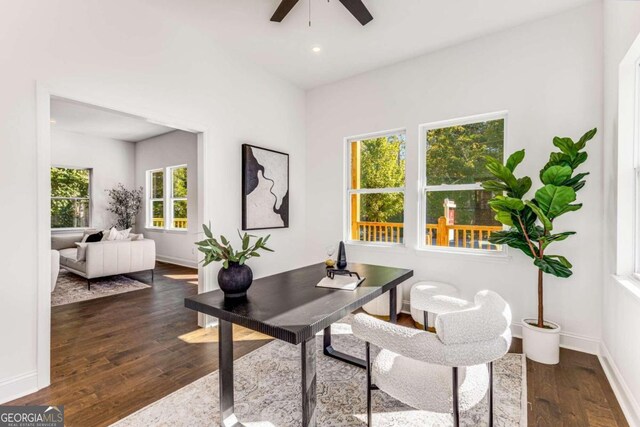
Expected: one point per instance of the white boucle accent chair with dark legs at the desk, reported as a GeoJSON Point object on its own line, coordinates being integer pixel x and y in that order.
{"type": "Point", "coordinates": [446, 371]}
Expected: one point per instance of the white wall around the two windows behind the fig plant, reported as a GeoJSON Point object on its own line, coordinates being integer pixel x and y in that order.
{"type": "Point", "coordinates": [548, 75]}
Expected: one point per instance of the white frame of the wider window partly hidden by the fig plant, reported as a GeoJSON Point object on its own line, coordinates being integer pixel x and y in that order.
{"type": "Point", "coordinates": [423, 188]}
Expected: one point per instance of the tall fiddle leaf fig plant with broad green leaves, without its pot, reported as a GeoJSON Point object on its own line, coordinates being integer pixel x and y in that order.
{"type": "Point", "coordinates": [531, 221]}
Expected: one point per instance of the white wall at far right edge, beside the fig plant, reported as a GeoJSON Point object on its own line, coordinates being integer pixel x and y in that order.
{"type": "Point", "coordinates": [621, 305]}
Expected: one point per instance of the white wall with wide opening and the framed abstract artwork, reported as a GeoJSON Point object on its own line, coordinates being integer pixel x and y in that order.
{"type": "Point", "coordinates": [155, 59]}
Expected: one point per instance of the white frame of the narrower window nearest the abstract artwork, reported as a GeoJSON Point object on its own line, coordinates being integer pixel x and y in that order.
{"type": "Point", "coordinates": [350, 191]}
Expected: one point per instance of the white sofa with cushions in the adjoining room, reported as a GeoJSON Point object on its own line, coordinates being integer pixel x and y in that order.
{"type": "Point", "coordinates": [106, 258]}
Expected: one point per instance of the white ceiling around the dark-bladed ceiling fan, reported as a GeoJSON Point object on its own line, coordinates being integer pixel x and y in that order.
{"type": "Point", "coordinates": [401, 29]}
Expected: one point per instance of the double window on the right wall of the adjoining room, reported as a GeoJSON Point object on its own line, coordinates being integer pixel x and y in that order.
{"type": "Point", "coordinates": [167, 209]}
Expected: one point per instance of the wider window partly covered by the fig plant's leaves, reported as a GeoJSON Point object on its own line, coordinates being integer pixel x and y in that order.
{"type": "Point", "coordinates": [454, 207]}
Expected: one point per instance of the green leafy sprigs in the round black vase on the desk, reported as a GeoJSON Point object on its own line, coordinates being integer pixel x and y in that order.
{"type": "Point", "coordinates": [221, 250]}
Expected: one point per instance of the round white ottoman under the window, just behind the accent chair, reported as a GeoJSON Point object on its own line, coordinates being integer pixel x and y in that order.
{"type": "Point", "coordinates": [421, 296]}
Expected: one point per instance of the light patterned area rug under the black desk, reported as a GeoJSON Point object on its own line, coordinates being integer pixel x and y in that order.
{"type": "Point", "coordinates": [267, 394]}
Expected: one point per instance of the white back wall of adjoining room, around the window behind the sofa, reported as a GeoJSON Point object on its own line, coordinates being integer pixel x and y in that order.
{"type": "Point", "coordinates": [112, 162]}
